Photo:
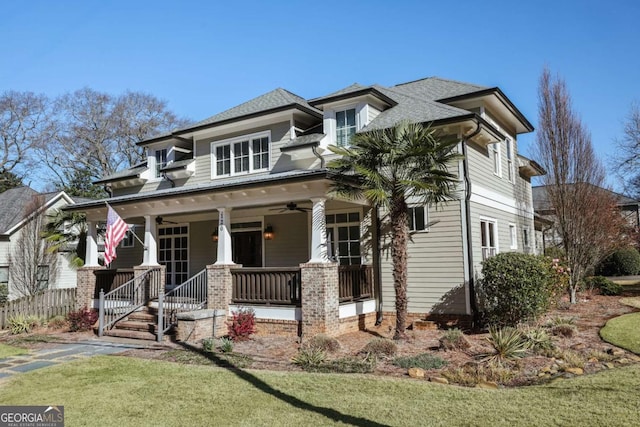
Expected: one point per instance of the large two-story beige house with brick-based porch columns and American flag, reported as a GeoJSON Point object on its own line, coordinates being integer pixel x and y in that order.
{"type": "Point", "coordinates": [240, 203]}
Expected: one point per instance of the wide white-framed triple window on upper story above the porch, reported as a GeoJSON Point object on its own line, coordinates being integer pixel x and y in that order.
{"type": "Point", "coordinates": [240, 155]}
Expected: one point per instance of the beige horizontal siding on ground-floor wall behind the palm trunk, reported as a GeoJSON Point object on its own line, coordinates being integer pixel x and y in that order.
{"type": "Point", "coordinates": [435, 266]}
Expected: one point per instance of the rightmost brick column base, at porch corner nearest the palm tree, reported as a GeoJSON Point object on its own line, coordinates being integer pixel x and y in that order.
{"type": "Point", "coordinates": [320, 300]}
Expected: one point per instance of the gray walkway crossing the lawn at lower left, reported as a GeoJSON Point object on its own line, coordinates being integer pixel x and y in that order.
{"type": "Point", "coordinates": [61, 353]}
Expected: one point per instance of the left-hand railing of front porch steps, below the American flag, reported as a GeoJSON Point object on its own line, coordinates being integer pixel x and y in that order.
{"type": "Point", "coordinates": [127, 298]}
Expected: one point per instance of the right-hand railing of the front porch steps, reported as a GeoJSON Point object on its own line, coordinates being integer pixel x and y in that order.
{"type": "Point", "coordinates": [190, 295]}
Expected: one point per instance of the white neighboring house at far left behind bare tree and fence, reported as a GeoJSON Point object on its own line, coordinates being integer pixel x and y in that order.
{"type": "Point", "coordinates": [24, 262]}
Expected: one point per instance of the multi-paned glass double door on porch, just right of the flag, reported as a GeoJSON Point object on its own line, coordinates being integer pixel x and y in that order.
{"type": "Point", "coordinates": [173, 253]}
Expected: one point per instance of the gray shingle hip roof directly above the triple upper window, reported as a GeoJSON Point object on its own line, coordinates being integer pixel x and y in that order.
{"type": "Point", "coordinates": [275, 99]}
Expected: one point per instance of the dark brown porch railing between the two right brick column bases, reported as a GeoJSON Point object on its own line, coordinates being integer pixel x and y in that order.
{"type": "Point", "coordinates": [278, 286]}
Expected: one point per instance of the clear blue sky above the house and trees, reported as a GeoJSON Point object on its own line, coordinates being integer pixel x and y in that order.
{"type": "Point", "coordinates": [203, 57]}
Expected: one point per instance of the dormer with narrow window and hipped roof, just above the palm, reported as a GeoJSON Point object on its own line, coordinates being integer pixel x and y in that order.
{"type": "Point", "coordinates": [347, 111]}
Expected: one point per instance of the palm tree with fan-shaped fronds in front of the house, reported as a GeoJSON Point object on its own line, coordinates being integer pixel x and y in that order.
{"type": "Point", "coordinates": [388, 168]}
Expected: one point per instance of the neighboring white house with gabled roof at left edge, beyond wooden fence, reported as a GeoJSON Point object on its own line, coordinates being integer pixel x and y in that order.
{"type": "Point", "coordinates": [19, 207]}
